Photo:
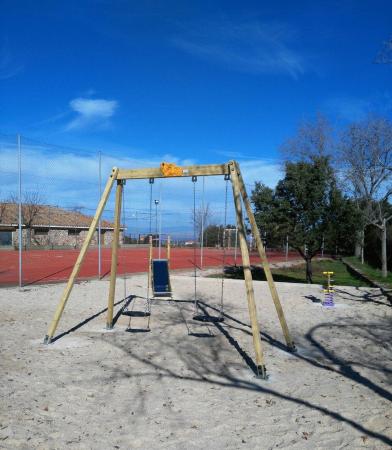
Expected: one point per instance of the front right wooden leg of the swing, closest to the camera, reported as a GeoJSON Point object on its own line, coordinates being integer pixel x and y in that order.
{"type": "Point", "coordinates": [247, 273]}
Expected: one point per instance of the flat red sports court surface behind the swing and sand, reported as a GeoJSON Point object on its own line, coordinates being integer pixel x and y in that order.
{"type": "Point", "coordinates": [46, 266]}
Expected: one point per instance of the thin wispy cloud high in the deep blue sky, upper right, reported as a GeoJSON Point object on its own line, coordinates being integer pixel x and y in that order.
{"type": "Point", "coordinates": [251, 46]}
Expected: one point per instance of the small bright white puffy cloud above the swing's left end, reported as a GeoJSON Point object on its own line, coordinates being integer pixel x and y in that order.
{"type": "Point", "coordinates": [91, 112]}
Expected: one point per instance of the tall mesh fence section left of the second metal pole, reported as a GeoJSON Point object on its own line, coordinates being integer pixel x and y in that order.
{"type": "Point", "coordinates": [47, 195]}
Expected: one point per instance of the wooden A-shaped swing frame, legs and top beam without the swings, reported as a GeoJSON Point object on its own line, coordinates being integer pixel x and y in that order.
{"type": "Point", "coordinates": [239, 192]}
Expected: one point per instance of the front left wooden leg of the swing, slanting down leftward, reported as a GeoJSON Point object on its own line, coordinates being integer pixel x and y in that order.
{"type": "Point", "coordinates": [82, 254]}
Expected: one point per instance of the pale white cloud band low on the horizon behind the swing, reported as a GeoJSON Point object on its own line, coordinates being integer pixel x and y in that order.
{"type": "Point", "coordinates": [69, 179]}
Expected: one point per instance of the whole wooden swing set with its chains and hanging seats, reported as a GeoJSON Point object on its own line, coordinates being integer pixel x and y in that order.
{"type": "Point", "coordinates": [159, 269]}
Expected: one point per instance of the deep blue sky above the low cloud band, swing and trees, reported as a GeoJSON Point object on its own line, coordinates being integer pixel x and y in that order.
{"type": "Point", "coordinates": [198, 81]}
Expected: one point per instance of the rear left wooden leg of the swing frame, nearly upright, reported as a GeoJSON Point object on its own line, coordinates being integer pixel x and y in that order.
{"type": "Point", "coordinates": [113, 269]}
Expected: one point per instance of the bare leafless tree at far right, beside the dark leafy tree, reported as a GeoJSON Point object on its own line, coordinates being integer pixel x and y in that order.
{"type": "Point", "coordinates": [366, 155]}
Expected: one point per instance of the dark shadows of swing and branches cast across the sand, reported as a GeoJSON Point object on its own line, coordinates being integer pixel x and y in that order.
{"type": "Point", "coordinates": [212, 368]}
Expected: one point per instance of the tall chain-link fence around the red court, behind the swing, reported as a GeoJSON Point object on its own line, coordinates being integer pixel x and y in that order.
{"type": "Point", "coordinates": [49, 194]}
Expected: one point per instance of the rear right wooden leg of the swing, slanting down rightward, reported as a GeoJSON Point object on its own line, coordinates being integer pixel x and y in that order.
{"type": "Point", "coordinates": [264, 262]}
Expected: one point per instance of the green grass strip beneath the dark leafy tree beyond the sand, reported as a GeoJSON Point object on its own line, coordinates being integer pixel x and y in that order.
{"type": "Point", "coordinates": [296, 274]}
